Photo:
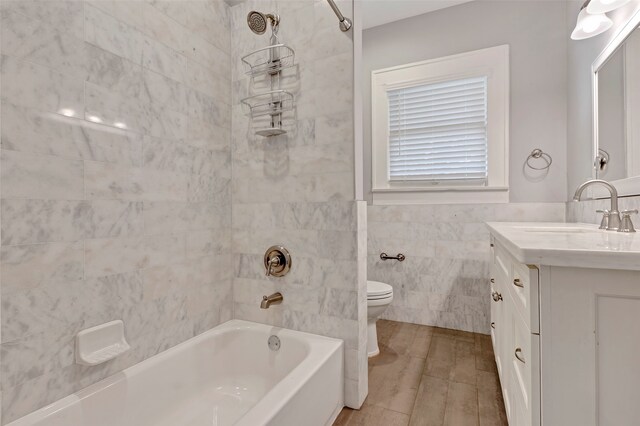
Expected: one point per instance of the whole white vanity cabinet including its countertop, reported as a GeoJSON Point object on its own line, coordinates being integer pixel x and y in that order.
{"type": "Point", "coordinates": [565, 326]}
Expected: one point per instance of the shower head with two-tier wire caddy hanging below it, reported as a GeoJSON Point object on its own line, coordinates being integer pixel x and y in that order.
{"type": "Point", "coordinates": [267, 108]}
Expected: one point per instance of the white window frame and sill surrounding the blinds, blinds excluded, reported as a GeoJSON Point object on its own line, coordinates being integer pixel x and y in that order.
{"type": "Point", "coordinates": [491, 62]}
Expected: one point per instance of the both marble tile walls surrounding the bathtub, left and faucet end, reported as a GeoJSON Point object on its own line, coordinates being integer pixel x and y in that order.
{"type": "Point", "coordinates": [116, 202]}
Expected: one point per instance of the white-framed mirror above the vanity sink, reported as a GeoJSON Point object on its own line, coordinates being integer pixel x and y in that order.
{"type": "Point", "coordinates": [616, 106]}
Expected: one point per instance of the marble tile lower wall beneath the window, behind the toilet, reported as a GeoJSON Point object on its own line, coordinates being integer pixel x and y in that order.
{"type": "Point", "coordinates": [444, 280]}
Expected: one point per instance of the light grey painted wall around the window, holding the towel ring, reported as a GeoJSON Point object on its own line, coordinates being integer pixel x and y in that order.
{"type": "Point", "coordinates": [537, 34]}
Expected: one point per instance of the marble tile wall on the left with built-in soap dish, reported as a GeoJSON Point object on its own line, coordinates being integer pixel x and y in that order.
{"type": "Point", "coordinates": [116, 183]}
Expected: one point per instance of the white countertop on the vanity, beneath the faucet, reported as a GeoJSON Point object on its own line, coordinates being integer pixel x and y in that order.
{"type": "Point", "coordinates": [568, 244]}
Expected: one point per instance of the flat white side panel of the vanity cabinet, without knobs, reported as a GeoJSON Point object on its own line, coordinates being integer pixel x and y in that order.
{"type": "Point", "coordinates": [590, 341]}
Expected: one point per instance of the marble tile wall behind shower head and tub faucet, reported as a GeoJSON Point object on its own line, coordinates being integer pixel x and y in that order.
{"type": "Point", "coordinates": [297, 190]}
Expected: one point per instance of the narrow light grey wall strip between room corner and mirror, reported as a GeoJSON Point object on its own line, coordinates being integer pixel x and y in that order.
{"type": "Point", "coordinates": [581, 55]}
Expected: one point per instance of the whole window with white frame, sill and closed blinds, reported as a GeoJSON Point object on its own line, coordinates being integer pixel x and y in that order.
{"type": "Point", "coordinates": [440, 129]}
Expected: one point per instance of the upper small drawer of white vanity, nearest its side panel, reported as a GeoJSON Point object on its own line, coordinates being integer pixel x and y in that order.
{"type": "Point", "coordinates": [523, 287]}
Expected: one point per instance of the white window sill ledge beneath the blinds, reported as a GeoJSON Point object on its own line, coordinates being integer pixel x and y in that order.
{"type": "Point", "coordinates": [441, 195]}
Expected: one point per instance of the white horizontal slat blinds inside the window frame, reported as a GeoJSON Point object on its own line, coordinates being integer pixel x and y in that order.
{"type": "Point", "coordinates": [438, 132]}
